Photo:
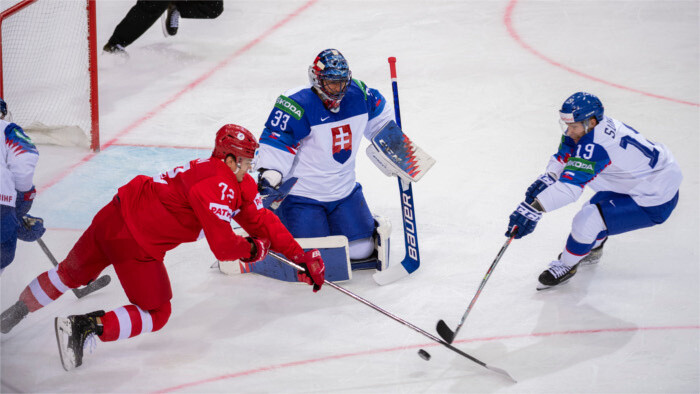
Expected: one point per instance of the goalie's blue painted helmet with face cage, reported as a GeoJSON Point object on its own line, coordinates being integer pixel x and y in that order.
{"type": "Point", "coordinates": [330, 66]}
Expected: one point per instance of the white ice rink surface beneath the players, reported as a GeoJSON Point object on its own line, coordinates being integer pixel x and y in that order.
{"type": "Point", "coordinates": [480, 85]}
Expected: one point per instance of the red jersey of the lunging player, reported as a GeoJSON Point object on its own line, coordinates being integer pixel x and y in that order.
{"type": "Point", "coordinates": [164, 211]}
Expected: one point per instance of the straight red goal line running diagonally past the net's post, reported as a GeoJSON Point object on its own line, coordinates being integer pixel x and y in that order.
{"type": "Point", "coordinates": [150, 114]}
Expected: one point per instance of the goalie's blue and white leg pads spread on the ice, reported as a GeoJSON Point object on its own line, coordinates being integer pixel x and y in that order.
{"type": "Point", "coordinates": [334, 250]}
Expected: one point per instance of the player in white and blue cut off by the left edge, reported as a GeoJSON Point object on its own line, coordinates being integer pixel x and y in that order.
{"type": "Point", "coordinates": [17, 162]}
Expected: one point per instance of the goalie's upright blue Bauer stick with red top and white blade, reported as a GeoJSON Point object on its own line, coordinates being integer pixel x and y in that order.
{"type": "Point", "coordinates": [411, 261]}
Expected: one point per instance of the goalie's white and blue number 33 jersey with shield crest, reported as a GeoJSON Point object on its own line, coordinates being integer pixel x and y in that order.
{"type": "Point", "coordinates": [303, 139]}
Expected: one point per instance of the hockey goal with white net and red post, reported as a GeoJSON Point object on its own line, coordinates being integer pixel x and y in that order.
{"type": "Point", "coordinates": [48, 70]}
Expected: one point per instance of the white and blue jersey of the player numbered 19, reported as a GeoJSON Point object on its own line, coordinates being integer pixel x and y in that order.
{"type": "Point", "coordinates": [612, 157]}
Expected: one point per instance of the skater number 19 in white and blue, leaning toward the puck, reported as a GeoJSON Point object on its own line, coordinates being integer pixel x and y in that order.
{"type": "Point", "coordinates": [636, 181]}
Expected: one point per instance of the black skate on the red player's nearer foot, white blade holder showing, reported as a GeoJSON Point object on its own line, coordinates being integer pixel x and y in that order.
{"type": "Point", "coordinates": [71, 334]}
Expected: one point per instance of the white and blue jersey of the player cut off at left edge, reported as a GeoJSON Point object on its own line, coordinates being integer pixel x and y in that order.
{"type": "Point", "coordinates": [19, 158]}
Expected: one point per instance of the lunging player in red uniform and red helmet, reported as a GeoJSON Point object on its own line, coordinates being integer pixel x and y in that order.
{"type": "Point", "coordinates": [148, 217]}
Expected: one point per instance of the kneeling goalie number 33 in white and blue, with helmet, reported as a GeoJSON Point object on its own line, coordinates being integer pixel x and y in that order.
{"type": "Point", "coordinates": [313, 134]}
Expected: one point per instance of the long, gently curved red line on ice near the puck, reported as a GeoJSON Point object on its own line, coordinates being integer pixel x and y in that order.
{"type": "Point", "coordinates": [431, 344]}
